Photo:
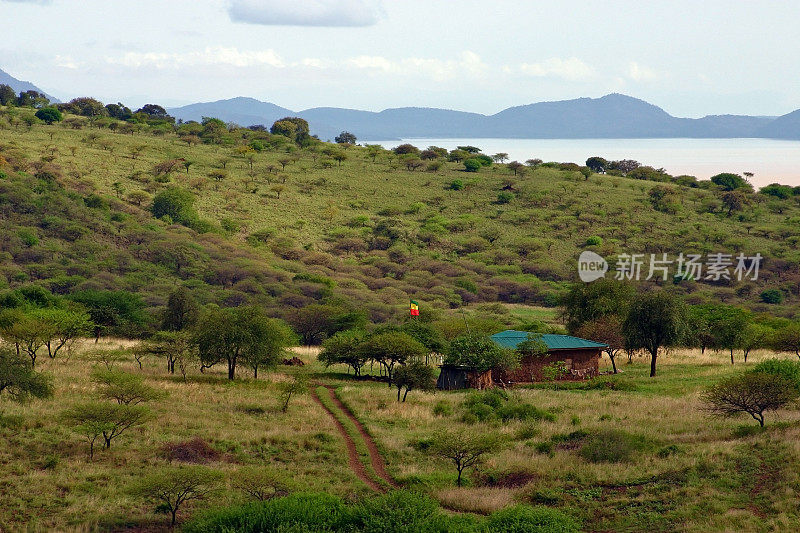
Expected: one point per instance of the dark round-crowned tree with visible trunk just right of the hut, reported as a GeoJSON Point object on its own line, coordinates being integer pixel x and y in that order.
{"type": "Point", "coordinates": [655, 319]}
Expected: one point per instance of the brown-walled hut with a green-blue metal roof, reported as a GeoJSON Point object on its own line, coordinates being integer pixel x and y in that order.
{"type": "Point", "coordinates": [580, 356]}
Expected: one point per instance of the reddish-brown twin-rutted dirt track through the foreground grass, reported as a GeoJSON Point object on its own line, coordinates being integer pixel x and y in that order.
{"type": "Point", "coordinates": [376, 459]}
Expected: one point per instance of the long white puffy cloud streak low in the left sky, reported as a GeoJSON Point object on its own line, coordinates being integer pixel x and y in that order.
{"type": "Point", "coordinates": [216, 56]}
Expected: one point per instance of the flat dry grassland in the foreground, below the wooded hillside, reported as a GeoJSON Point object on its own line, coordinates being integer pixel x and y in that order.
{"type": "Point", "coordinates": [629, 453]}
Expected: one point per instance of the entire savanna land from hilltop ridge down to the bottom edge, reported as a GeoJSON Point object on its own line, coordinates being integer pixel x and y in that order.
{"type": "Point", "coordinates": [183, 241]}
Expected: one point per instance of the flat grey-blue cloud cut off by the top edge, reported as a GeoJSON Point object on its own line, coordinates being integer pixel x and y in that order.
{"type": "Point", "coordinates": [341, 13]}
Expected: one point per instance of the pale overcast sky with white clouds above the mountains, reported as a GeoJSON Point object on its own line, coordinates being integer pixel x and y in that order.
{"type": "Point", "coordinates": [690, 57]}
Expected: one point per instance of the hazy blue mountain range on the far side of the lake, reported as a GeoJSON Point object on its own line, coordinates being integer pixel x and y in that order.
{"type": "Point", "coordinates": [614, 116]}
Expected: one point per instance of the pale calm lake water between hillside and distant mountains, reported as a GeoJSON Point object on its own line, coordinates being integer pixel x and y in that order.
{"type": "Point", "coordinates": [770, 160]}
